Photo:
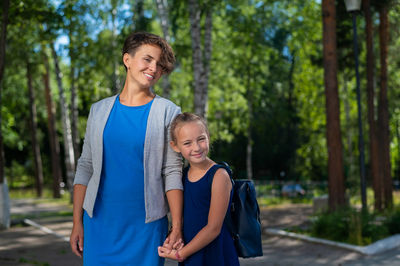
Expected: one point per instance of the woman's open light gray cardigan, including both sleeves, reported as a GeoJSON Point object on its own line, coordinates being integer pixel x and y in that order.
{"type": "Point", "coordinates": [162, 165]}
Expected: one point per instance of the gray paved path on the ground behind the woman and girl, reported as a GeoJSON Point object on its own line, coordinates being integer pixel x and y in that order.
{"type": "Point", "coordinates": [27, 245]}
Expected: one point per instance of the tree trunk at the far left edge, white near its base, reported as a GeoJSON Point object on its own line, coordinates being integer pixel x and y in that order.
{"type": "Point", "coordinates": [4, 196]}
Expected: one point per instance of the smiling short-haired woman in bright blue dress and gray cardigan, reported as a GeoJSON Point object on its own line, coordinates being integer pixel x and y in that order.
{"type": "Point", "coordinates": [127, 172]}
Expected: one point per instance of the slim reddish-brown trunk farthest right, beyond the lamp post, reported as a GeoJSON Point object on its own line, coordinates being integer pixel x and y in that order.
{"type": "Point", "coordinates": [383, 108]}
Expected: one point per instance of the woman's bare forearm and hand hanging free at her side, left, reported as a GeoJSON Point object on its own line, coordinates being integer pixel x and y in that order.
{"type": "Point", "coordinates": [76, 238]}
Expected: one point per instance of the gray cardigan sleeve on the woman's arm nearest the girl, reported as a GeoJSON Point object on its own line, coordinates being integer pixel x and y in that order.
{"type": "Point", "coordinates": [172, 161]}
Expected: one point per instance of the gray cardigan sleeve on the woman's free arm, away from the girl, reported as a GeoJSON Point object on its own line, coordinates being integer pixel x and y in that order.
{"type": "Point", "coordinates": [84, 169]}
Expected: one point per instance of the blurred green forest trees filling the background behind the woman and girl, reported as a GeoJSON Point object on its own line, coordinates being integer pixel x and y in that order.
{"type": "Point", "coordinates": [254, 69]}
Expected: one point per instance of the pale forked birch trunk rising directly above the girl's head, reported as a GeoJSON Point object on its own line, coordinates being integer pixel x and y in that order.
{"type": "Point", "coordinates": [201, 59]}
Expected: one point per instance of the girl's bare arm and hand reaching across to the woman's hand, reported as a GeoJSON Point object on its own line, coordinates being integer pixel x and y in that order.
{"type": "Point", "coordinates": [220, 195]}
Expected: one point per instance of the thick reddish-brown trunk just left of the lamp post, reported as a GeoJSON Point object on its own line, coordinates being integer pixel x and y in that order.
{"type": "Point", "coordinates": [334, 143]}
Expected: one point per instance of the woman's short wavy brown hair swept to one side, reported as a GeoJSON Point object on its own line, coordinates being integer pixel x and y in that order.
{"type": "Point", "coordinates": [137, 39]}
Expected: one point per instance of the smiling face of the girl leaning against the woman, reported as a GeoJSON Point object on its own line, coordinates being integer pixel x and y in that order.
{"type": "Point", "coordinates": [192, 141]}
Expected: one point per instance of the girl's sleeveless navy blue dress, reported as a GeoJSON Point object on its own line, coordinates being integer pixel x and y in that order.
{"type": "Point", "coordinates": [197, 198]}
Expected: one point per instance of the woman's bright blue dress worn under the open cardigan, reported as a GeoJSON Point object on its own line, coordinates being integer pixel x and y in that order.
{"type": "Point", "coordinates": [117, 234]}
